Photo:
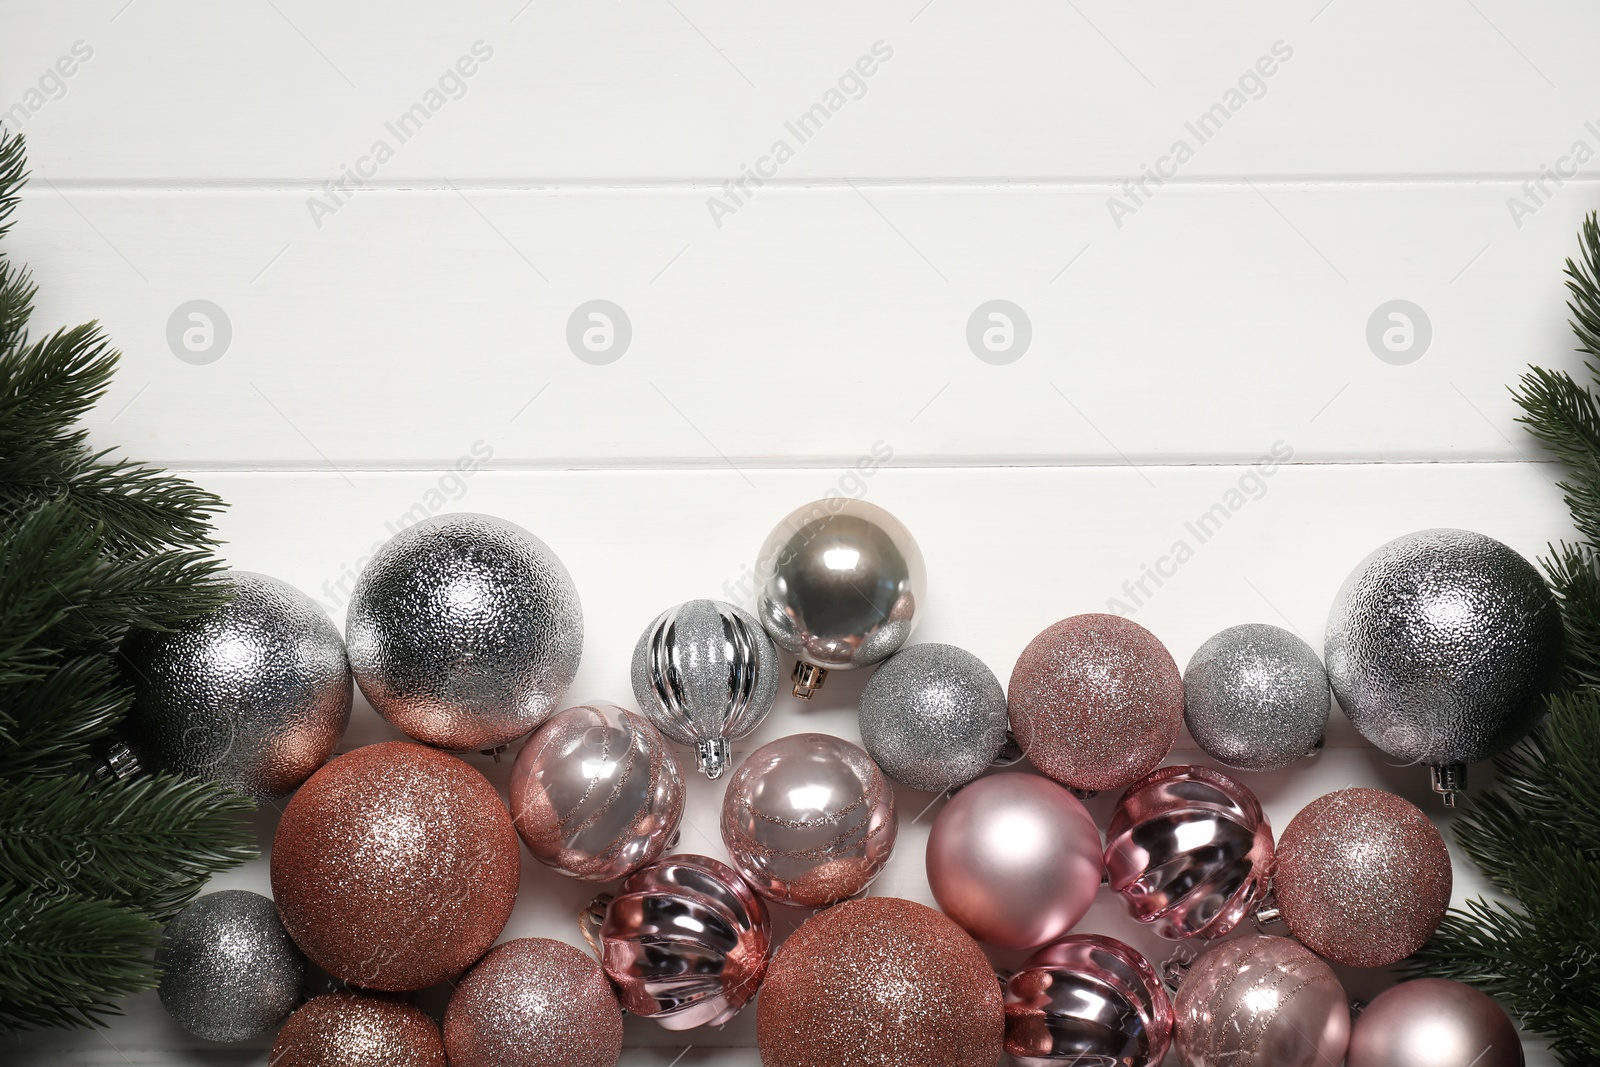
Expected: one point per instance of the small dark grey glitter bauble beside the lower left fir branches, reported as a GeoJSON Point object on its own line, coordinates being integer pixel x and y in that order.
{"type": "Point", "coordinates": [230, 973]}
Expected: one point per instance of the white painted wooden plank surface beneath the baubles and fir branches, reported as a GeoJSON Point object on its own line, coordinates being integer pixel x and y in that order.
{"type": "Point", "coordinates": [826, 314]}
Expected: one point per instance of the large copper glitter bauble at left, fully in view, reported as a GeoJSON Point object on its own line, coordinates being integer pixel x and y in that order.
{"type": "Point", "coordinates": [396, 866]}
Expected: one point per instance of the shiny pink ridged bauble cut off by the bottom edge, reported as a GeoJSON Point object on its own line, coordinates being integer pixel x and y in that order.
{"type": "Point", "coordinates": [1087, 1001]}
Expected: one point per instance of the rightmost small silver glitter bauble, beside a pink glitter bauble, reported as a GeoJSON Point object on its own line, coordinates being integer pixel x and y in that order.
{"type": "Point", "coordinates": [1257, 698]}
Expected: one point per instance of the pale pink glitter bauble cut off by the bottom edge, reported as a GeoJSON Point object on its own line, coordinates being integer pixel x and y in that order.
{"type": "Point", "coordinates": [534, 1002]}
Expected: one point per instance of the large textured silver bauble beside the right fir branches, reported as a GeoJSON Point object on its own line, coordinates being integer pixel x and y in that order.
{"type": "Point", "coordinates": [1442, 647]}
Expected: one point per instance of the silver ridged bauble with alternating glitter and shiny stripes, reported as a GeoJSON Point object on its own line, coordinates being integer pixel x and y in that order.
{"type": "Point", "coordinates": [706, 674]}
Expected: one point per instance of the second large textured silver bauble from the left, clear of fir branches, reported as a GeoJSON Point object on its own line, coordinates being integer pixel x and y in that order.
{"type": "Point", "coordinates": [465, 631]}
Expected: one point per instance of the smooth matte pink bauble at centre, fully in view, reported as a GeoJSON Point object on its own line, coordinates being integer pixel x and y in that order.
{"type": "Point", "coordinates": [1015, 860]}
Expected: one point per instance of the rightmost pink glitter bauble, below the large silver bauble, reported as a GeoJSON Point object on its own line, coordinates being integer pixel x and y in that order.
{"type": "Point", "coordinates": [1364, 877]}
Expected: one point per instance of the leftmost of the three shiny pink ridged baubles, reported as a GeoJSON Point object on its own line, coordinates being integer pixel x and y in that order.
{"type": "Point", "coordinates": [686, 943]}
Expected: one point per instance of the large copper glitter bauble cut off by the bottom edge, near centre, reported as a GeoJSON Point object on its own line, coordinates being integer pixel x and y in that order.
{"type": "Point", "coordinates": [881, 983]}
